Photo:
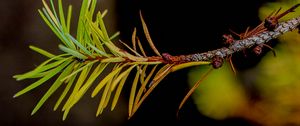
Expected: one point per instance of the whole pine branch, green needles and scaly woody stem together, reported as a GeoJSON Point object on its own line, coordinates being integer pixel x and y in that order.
{"type": "Point", "coordinates": [87, 55]}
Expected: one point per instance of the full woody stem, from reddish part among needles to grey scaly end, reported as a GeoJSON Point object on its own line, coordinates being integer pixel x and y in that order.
{"type": "Point", "coordinates": [216, 56]}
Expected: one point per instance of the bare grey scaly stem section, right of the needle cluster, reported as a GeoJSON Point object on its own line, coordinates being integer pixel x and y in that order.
{"type": "Point", "coordinates": [239, 45]}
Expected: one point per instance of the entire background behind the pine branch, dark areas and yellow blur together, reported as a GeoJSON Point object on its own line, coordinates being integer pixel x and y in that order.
{"type": "Point", "coordinates": [264, 92]}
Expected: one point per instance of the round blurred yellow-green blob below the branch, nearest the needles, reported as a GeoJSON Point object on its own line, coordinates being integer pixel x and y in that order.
{"type": "Point", "coordinates": [219, 94]}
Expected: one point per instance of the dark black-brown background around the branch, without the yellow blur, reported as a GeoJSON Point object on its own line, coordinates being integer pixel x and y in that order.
{"type": "Point", "coordinates": [176, 27]}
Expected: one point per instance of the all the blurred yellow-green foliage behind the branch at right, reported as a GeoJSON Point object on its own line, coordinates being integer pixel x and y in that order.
{"type": "Point", "coordinates": [277, 80]}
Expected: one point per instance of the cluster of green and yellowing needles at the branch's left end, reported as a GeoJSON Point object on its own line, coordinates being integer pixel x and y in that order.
{"type": "Point", "coordinates": [86, 55]}
